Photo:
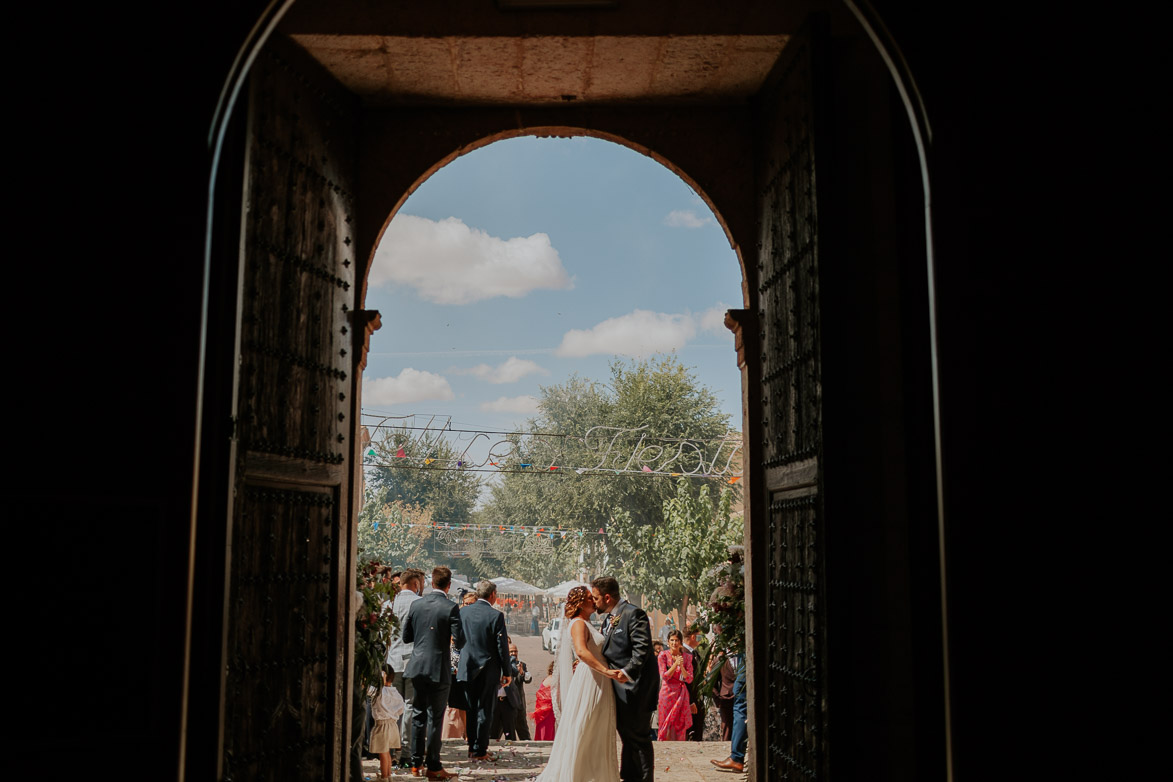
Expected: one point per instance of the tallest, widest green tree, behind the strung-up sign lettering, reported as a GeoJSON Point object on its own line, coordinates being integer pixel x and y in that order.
{"type": "Point", "coordinates": [650, 402]}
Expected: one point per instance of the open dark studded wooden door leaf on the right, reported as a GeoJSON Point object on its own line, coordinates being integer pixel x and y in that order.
{"type": "Point", "coordinates": [789, 634]}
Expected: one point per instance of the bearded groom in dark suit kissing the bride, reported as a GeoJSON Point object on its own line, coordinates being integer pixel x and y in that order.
{"type": "Point", "coordinates": [628, 647]}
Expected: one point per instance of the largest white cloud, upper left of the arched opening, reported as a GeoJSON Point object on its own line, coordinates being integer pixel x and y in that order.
{"type": "Point", "coordinates": [447, 262]}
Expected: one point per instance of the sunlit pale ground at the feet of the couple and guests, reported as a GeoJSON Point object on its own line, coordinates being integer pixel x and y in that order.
{"type": "Point", "coordinates": [680, 761]}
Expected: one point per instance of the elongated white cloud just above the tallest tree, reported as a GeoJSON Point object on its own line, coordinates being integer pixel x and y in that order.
{"type": "Point", "coordinates": [639, 335]}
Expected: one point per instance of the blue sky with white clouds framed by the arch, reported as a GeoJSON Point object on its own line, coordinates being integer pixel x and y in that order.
{"type": "Point", "coordinates": [531, 260]}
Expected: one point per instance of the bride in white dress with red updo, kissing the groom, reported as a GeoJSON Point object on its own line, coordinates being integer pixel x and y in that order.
{"type": "Point", "coordinates": [584, 702]}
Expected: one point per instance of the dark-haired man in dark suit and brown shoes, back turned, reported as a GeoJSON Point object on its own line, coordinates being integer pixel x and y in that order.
{"type": "Point", "coordinates": [431, 623]}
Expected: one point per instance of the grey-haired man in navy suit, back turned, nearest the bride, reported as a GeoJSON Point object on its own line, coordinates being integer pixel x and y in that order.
{"type": "Point", "coordinates": [484, 665]}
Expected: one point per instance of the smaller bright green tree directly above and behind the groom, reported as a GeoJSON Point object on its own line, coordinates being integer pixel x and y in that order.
{"type": "Point", "coordinates": [667, 562]}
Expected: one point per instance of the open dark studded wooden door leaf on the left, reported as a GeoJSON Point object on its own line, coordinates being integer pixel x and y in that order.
{"type": "Point", "coordinates": [289, 570]}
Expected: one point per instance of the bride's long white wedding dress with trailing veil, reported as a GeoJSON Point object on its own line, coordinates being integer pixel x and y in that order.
{"type": "Point", "coordinates": [585, 739]}
